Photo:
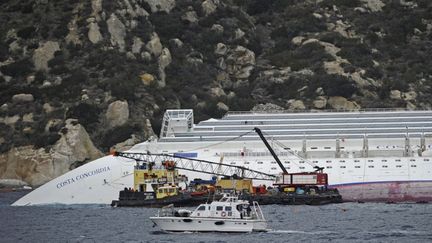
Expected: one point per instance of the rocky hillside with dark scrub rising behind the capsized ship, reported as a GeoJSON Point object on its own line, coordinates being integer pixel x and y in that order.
{"type": "Point", "coordinates": [78, 77]}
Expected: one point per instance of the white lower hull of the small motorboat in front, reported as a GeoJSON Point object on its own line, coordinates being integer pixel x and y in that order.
{"type": "Point", "coordinates": [196, 224]}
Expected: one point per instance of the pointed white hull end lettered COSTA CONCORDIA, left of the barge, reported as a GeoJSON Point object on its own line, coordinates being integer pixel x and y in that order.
{"type": "Point", "coordinates": [97, 182]}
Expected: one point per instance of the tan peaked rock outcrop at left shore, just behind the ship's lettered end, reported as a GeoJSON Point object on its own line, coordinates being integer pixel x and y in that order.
{"type": "Point", "coordinates": [38, 166]}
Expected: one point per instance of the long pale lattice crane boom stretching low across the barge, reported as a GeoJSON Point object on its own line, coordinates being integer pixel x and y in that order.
{"type": "Point", "coordinates": [203, 166]}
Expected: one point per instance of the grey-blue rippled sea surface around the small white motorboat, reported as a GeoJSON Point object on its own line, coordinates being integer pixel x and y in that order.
{"type": "Point", "coordinates": [348, 222]}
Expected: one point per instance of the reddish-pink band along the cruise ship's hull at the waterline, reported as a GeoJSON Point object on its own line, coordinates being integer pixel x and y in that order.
{"type": "Point", "coordinates": [387, 192]}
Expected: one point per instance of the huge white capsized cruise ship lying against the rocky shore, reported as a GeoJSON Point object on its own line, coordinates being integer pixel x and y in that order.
{"type": "Point", "coordinates": [370, 155]}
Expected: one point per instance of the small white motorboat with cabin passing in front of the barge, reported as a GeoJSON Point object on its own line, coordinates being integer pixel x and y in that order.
{"type": "Point", "coordinates": [226, 215]}
